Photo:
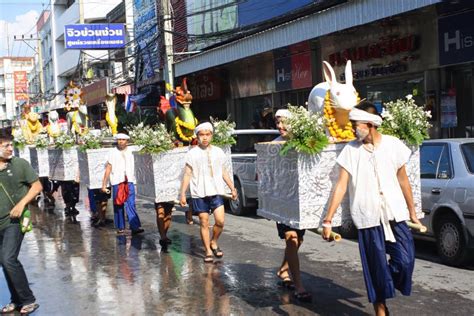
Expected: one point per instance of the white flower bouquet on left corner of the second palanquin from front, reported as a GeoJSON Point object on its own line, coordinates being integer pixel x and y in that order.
{"type": "Point", "coordinates": [152, 140]}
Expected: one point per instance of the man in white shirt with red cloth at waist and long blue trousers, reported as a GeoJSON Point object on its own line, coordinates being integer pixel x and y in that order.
{"type": "Point", "coordinates": [121, 171]}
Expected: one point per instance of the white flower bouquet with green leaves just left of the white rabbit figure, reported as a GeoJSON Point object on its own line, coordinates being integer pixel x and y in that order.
{"type": "Point", "coordinates": [306, 131]}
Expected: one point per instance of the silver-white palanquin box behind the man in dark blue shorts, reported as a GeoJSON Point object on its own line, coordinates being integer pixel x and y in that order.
{"type": "Point", "coordinates": [159, 175]}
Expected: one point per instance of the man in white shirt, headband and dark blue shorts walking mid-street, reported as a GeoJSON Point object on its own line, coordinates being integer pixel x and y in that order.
{"type": "Point", "coordinates": [206, 173]}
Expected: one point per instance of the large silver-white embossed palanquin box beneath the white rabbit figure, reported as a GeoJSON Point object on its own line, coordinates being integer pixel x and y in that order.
{"type": "Point", "coordinates": [295, 189]}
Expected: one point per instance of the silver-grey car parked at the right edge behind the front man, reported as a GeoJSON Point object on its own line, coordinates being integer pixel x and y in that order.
{"type": "Point", "coordinates": [447, 186]}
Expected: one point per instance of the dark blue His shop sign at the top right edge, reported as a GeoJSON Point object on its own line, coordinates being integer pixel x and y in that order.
{"type": "Point", "coordinates": [456, 38]}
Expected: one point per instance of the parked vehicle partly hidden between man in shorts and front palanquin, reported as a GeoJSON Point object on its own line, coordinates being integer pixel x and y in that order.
{"type": "Point", "coordinates": [244, 159]}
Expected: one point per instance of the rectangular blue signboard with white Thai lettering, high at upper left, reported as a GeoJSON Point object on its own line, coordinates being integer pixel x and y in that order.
{"type": "Point", "coordinates": [94, 36]}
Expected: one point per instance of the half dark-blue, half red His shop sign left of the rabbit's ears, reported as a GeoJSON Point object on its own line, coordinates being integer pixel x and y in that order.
{"type": "Point", "coordinates": [293, 72]}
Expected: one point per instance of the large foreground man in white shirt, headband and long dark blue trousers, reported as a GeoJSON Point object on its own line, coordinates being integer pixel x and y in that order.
{"type": "Point", "coordinates": [381, 201]}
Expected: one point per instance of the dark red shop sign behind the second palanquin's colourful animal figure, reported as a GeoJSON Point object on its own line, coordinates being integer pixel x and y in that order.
{"type": "Point", "coordinates": [205, 87]}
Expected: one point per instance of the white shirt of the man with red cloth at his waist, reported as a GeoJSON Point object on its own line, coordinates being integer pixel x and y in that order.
{"type": "Point", "coordinates": [123, 164]}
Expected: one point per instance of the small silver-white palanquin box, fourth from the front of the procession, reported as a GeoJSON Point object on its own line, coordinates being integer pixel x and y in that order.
{"type": "Point", "coordinates": [63, 164]}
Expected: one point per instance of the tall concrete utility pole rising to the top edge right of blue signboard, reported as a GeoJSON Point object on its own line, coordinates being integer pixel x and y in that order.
{"type": "Point", "coordinates": [168, 75]}
